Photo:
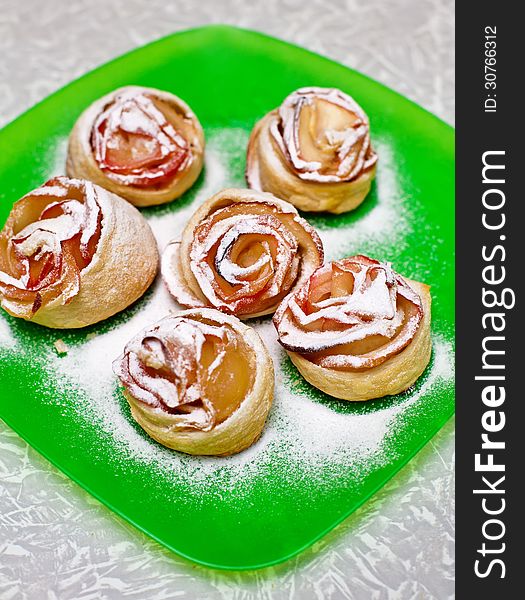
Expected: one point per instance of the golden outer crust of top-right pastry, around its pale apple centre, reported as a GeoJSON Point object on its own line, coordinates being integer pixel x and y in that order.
{"type": "Point", "coordinates": [270, 167]}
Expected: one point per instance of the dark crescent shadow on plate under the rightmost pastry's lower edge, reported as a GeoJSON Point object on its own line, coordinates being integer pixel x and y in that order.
{"type": "Point", "coordinates": [294, 380]}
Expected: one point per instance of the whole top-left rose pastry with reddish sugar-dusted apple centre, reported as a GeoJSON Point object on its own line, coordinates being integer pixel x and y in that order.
{"type": "Point", "coordinates": [144, 144]}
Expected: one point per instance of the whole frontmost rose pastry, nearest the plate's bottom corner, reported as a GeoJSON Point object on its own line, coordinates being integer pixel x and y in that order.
{"type": "Point", "coordinates": [198, 381]}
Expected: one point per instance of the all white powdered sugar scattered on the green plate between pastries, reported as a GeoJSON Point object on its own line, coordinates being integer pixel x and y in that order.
{"type": "Point", "coordinates": [308, 436]}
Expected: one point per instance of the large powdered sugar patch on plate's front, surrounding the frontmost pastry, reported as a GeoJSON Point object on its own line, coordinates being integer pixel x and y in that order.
{"type": "Point", "coordinates": [311, 438]}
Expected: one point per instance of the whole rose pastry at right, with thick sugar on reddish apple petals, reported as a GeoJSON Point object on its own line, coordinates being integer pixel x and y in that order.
{"type": "Point", "coordinates": [357, 330]}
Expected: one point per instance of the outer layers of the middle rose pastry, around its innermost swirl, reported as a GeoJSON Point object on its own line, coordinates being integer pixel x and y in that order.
{"type": "Point", "coordinates": [257, 212]}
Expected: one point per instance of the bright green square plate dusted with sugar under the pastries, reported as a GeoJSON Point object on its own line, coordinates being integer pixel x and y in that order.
{"type": "Point", "coordinates": [318, 458]}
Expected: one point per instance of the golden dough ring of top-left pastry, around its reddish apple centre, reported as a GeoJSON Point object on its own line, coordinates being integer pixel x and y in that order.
{"type": "Point", "coordinates": [81, 157]}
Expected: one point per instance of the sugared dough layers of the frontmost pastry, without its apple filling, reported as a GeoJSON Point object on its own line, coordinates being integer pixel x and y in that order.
{"type": "Point", "coordinates": [195, 432]}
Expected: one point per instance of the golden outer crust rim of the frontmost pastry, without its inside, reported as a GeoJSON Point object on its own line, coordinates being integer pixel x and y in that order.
{"type": "Point", "coordinates": [242, 428]}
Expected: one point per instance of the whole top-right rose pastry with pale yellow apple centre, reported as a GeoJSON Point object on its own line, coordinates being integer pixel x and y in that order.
{"type": "Point", "coordinates": [314, 151]}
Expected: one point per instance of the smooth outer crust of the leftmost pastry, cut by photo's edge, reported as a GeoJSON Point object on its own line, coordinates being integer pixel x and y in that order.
{"type": "Point", "coordinates": [123, 267]}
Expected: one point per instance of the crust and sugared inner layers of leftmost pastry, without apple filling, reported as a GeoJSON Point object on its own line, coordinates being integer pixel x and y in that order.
{"type": "Point", "coordinates": [122, 266]}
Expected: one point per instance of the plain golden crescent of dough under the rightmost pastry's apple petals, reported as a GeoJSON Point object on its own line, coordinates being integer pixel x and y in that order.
{"type": "Point", "coordinates": [393, 376]}
